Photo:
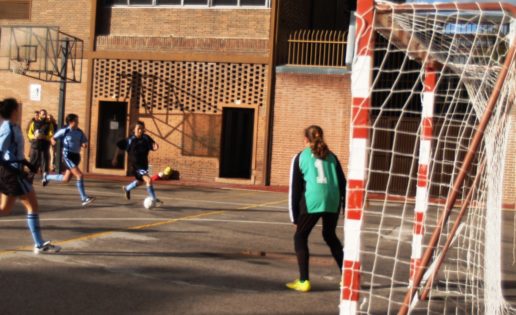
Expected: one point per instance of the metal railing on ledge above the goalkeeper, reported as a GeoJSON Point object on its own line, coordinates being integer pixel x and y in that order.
{"type": "Point", "coordinates": [319, 48]}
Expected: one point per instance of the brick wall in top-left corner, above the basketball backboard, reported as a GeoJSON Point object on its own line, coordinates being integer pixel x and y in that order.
{"type": "Point", "coordinates": [72, 17]}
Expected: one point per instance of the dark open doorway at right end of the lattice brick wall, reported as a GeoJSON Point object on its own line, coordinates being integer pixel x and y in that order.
{"type": "Point", "coordinates": [236, 152]}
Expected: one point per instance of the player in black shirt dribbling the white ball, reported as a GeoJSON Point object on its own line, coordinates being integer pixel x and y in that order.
{"type": "Point", "coordinates": [138, 146]}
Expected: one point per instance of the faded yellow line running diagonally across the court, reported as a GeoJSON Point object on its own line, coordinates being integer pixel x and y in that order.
{"type": "Point", "coordinates": [139, 227]}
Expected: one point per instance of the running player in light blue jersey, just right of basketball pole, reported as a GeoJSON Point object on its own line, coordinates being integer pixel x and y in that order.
{"type": "Point", "coordinates": [73, 140]}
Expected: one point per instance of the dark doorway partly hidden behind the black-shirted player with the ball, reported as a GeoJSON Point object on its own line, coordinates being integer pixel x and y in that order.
{"type": "Point", "coordinates": [111, 128]}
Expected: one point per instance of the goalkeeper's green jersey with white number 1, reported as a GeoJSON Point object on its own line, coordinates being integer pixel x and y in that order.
{"type": "Point", "coordinates": [322, 193]}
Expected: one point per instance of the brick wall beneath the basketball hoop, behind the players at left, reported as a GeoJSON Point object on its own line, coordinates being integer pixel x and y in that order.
{"type": "Point", "coordinates": [17, 86]}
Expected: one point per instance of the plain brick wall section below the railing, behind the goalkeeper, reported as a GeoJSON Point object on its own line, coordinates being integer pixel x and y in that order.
{"type": "Point", "coordinates": [303, 100]}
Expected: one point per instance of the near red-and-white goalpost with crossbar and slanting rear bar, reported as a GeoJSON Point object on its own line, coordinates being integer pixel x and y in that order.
{"type": "Point", "coordinates": [367, 12]}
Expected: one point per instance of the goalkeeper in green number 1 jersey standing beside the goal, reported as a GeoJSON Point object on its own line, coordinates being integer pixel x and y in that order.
{"type": "Point", "coordinates": [317, 190]}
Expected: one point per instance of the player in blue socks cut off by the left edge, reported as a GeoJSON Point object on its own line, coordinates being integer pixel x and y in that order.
{"type": "Point", "coordinates": [13, 181]}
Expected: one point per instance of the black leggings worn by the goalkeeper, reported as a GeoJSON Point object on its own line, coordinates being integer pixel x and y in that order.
{"type": "Point", "coordinates": [306, 223]}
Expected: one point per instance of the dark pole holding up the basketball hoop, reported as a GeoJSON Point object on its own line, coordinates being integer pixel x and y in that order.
{"type": "Point", "coordinates": [65, 45]}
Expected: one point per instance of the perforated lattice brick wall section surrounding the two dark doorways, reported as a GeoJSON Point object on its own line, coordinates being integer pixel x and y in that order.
{"type": "Point", "coordinates": [162, 94]}
